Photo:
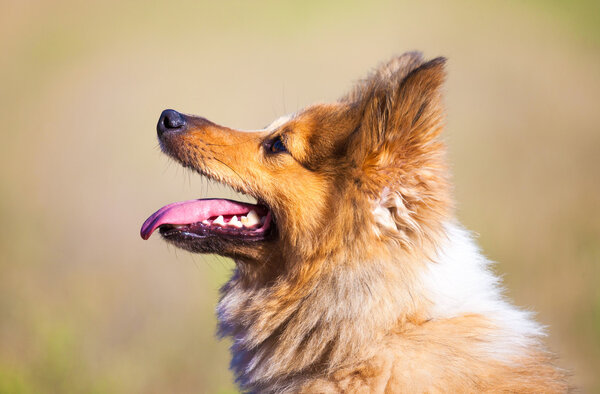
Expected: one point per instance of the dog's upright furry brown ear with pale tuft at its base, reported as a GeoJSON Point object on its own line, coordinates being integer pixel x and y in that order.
{"type": "Point", "coordinates": [402, 158]}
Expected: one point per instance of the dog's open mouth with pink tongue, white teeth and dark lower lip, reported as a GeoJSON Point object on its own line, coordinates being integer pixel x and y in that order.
{"type": "Point", "coordinates": [204, 218]}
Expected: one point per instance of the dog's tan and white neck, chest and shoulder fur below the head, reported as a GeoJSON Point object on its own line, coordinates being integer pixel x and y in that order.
{"type": "Point", "coordinates": [443, 327]}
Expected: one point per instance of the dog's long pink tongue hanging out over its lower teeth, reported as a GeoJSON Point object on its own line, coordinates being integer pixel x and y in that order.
{"type": "Point", "coordinates": [192, 211]}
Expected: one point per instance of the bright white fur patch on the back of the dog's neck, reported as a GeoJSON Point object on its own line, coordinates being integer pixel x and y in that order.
{"type": "Point", "coordinates": [460, 282]}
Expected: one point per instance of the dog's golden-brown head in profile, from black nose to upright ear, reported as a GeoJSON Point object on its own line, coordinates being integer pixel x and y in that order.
{"type": "Point", "coordinates": [338, 175]}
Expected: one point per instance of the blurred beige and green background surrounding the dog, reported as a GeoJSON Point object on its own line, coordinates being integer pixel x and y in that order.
{"type": "Point", "coordinates": [87, 306]}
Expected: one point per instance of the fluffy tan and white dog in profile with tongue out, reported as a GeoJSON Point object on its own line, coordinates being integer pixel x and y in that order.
{"type": "Point", "coordinates": [352, 273]}
